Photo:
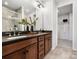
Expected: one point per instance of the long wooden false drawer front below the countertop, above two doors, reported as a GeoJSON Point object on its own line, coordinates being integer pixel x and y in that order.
{"type": "Point", "coordinates": [18, 45]}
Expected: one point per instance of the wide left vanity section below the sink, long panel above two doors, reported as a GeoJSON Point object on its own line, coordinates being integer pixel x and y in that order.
{"type": "Point", "coordinates": [21, 50]}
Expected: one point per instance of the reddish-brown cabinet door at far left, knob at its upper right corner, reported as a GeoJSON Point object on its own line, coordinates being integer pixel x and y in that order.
{"type": "Point", "coordinates": [16, 55]}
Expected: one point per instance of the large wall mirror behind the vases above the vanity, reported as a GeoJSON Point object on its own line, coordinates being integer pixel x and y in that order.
{"type": "Point", "coordinates": [14, 11]}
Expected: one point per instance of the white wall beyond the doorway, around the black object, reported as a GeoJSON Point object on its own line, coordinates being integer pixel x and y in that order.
{"type": "Point", "coordinates": [65, 29]}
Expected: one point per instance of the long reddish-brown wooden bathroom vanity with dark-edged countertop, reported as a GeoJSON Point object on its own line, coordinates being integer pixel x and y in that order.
{"type": "Point", "coordinates": [33, 46]}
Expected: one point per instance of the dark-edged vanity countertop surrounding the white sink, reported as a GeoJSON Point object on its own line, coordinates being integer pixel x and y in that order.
{"type": "Point", "coordinates": [6, 41]}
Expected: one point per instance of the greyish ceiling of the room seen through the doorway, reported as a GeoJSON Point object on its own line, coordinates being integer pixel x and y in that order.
{"type": "Point", "coordinates": [65, 10]}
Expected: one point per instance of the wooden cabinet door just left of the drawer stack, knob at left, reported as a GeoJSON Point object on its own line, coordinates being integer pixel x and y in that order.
{"type": "Point", "coordinates": [31, 52]}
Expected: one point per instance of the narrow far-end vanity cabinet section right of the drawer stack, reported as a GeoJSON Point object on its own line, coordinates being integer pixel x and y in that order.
{"type": "Point", "coordinates": [48, 43]}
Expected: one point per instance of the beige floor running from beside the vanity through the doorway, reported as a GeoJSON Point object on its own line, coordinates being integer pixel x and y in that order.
{"type": "Point", "coordinates": [63, 51]}
